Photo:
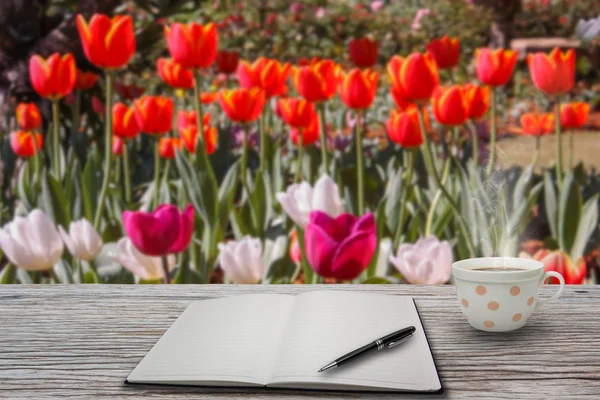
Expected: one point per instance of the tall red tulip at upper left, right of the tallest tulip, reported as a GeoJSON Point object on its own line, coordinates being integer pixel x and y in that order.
{"type": "Point", "coordinates": [192, 45]}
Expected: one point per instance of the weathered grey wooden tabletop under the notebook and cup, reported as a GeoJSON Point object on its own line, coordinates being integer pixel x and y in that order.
{"type": "Point", "coordinates": [82, 341]}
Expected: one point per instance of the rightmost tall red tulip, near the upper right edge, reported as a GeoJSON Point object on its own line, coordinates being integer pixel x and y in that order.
{"type": "Point", "coordinates": [553, 73]}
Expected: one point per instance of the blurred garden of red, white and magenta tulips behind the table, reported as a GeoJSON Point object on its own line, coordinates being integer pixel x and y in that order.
{"type": "Point", "coordinates": [317, 141]}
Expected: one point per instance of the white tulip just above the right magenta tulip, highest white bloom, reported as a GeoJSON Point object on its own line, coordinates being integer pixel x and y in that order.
{"type": "Point", "coordinates": [299, 200]}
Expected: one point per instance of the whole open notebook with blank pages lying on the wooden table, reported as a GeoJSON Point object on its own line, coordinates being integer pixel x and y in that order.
{"type": "Point", "coordinates": [281, 341]}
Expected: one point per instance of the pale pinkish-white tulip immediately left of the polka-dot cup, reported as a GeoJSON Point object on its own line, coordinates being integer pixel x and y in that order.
{"type": "Point", "coordinates": [427, 262]}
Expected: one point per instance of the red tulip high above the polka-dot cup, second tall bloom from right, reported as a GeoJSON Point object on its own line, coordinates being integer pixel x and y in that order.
{"type": "Point", "coordinates": [495, 67]}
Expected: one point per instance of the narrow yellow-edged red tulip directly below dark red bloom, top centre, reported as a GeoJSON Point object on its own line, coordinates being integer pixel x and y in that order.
{"type": "Point", "coordinates": [358, 88]}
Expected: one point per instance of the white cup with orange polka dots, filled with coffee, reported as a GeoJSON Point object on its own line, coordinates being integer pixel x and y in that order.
{"type": "Point", "coordinates": [498, 294]}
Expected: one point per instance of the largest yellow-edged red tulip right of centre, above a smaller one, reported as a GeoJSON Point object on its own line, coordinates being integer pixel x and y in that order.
{"type": "Point", "coordinates": [415, 77]}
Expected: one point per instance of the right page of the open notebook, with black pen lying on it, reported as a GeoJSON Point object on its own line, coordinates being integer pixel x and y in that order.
{"type": "Point", "coordinates": [324, 325]}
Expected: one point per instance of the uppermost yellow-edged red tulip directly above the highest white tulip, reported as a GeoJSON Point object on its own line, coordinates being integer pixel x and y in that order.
{"type": "Point", "coordinates": [318, 81]}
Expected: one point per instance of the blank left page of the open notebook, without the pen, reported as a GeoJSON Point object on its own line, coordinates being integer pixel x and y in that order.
{"type": "Point", "coordinates": [225, 341]}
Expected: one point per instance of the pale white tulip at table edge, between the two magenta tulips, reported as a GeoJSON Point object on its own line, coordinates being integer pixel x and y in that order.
{"type": "Point", "coordinates": [242, 261]}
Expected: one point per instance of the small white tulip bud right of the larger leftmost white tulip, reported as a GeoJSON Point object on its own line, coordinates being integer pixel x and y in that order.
{"type": "Point", "coordinates": [82, 240]}
